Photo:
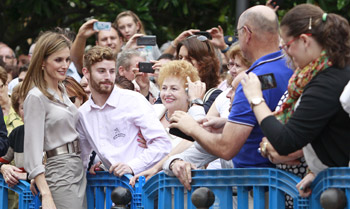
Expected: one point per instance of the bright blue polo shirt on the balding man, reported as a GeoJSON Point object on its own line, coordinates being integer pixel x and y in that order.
{"type": "Point", "coordinates": [242, 113]}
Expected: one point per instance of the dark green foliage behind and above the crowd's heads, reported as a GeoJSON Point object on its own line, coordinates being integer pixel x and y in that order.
{"type": "Point", "coordinates": [21, 20]}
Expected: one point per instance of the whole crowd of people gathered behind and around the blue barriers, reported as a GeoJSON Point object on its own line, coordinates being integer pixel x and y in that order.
{"type": "Point", "coordinates": [68, 109]}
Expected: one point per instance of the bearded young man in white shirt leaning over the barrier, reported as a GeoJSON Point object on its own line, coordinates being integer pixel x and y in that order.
{"type": "Point", "coordinates": [111, 119]}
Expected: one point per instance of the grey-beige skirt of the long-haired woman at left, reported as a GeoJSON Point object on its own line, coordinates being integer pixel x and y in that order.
{"type": "Point", "coordinates": [66, 178]}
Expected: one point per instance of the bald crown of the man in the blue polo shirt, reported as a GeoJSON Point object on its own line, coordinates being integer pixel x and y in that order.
{"type": "Point", "coordinates": [261, 19]}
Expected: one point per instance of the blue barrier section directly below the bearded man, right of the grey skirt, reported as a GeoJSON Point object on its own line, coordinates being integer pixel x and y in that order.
{"type": "Point", "coordinates": [100, 186]}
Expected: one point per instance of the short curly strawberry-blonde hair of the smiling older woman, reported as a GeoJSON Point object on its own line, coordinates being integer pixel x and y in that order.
{"type": "Point", "coordinates": [180, 69]}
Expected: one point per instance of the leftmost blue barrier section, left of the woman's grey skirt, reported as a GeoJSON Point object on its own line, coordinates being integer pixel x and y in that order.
{"type": "Point", "coordinates": [25, 197]}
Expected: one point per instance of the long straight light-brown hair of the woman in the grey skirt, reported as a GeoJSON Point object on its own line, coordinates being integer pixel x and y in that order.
{"type": "Point", "coordinates": [47, 44]}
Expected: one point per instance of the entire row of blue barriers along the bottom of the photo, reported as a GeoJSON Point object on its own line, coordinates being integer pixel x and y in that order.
{"type": "Point", "coordinates": [221, 182]}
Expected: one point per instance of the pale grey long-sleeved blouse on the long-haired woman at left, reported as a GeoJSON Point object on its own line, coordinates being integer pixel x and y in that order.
{"type": "Point", "coordinates": [47, 125]}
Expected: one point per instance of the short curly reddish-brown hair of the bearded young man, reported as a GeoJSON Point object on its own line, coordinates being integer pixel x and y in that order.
{"type": "Point", "coordinates": [97, 54]}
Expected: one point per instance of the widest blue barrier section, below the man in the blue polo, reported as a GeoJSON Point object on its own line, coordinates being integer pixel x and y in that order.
{"type": "Point", "coordinates": [275, 181]}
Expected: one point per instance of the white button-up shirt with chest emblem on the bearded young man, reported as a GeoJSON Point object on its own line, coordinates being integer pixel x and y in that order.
{"type": "Point", "coordinates": [111, 131]}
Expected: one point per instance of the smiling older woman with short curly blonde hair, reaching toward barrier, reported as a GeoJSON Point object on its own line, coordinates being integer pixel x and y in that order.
{"type": "Point", "coordinates": [174, 78]}
